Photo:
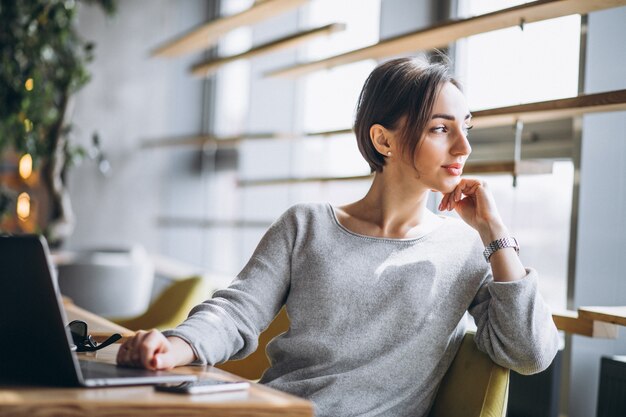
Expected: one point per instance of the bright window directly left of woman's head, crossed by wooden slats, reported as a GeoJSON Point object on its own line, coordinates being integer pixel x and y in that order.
{"type": "Point", "coordinates": [329, 100]}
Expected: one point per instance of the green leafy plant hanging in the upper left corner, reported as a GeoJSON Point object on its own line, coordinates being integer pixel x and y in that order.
{"type": "Point", "coordinates": [43, 61]}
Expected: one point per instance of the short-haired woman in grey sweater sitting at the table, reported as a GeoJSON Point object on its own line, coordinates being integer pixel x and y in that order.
{"type": "Point", "coordinates": [377, 290]}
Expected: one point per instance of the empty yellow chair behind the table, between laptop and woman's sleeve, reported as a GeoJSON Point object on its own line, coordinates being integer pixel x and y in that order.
{"type": "Point", "coordinates": [170, 308]}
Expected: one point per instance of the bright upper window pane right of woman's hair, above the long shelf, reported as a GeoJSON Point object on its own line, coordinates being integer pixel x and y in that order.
{"type": "Point", "coordinates": [513, 66]}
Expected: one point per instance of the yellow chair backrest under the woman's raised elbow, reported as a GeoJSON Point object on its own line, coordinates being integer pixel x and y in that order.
{"type": "Point", "coordinates": [474, 386]}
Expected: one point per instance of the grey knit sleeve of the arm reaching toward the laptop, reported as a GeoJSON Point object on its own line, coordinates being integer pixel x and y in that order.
{"type": "Point", "coordinates": [228, 325]}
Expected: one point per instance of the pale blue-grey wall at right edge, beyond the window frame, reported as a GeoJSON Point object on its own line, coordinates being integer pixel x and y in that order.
{"type": "Point", "coordinates": [600, 268]}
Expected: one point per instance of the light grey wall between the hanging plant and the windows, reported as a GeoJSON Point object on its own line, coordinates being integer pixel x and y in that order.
{"type": "Point", "coordinates": [131, 97]}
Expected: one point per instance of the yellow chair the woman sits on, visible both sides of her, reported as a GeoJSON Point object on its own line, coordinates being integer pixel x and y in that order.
{"type": "Point", "coordinates": [474, 386]}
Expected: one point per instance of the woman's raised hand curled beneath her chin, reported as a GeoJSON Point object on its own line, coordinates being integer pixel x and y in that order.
{"type": "Point", "coordinates": [475, 204]}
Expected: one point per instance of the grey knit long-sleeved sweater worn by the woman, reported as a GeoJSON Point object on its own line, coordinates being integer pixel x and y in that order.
{"type": "Point", "coordinates": [375, 322]}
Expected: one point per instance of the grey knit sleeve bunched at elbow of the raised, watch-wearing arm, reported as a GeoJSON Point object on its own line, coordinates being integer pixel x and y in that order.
{"type": "Point", "coordinates": [514, 324]}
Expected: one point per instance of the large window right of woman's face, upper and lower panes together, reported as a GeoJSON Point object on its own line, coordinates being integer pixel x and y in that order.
{"type": "Point", "coordinates": [514, 66]}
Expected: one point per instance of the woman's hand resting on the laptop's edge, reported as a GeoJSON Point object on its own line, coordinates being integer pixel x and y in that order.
{"type": "Point", "coordinates": [152, 350]}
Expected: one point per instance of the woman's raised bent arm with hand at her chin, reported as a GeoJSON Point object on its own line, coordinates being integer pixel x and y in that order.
{"type": "Point", "coordinates": [514, 324]}
